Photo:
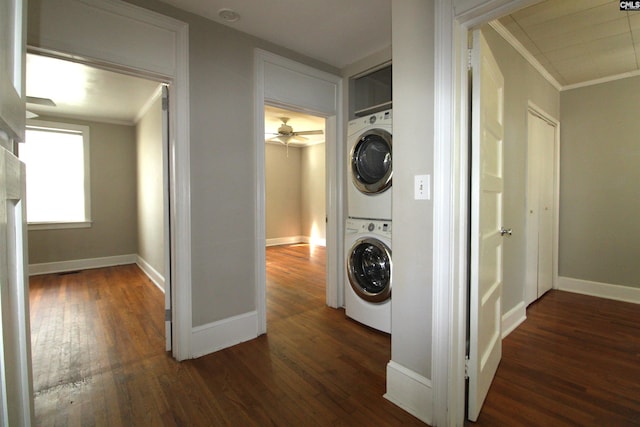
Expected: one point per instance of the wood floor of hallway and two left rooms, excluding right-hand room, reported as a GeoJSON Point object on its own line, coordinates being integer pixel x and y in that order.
{"type": "Point", "coordinates": [98, 356]}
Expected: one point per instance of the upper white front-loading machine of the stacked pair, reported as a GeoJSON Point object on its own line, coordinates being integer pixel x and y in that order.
{"type": "Point", "coordinates": [370, 166]}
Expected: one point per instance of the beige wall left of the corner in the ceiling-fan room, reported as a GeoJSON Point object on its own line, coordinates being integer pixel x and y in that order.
{"type": "Point", "coordinates": [283, 192]}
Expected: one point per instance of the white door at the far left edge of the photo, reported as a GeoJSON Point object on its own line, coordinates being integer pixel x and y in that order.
{"type": "Point", "coordinates": [16, 386]}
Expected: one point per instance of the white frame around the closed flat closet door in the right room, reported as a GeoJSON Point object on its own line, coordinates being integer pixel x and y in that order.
{"type": "Point", "coordinates": [543, 115]}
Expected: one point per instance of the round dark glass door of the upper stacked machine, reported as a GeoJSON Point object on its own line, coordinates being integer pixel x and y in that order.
{"type": "Point", "coordinates": [371, 167]}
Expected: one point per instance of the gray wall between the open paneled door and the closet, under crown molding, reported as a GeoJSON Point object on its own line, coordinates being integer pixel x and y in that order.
{"type": "Point", "coordinates": [522, 84]}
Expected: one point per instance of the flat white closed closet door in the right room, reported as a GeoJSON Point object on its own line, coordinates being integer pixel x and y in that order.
{"type": "Point", "coordinates": [541, 136]}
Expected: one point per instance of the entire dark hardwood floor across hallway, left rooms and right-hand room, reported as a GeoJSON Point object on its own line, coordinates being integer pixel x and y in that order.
{"type": "Point", "coordinates": [98, 359]}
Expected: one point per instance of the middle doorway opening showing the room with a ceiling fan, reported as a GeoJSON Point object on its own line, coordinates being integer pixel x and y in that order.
{"type": "Point", "coordinates": [295, 201]}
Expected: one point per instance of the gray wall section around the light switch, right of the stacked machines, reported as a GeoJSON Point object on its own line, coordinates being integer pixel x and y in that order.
{"type": "Point", "coordinates": [412, 242]}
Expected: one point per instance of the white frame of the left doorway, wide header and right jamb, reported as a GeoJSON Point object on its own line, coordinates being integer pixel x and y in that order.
{"type": "Point", "coordinates": [61, 35]}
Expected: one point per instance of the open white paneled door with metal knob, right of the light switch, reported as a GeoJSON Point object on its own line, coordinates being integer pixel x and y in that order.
{"type": "Point", "coordinates": [485, 294]}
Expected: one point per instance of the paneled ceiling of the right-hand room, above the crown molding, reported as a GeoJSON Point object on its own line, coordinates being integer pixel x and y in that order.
{"type": "Point", "coordinates": [579, 41]}
